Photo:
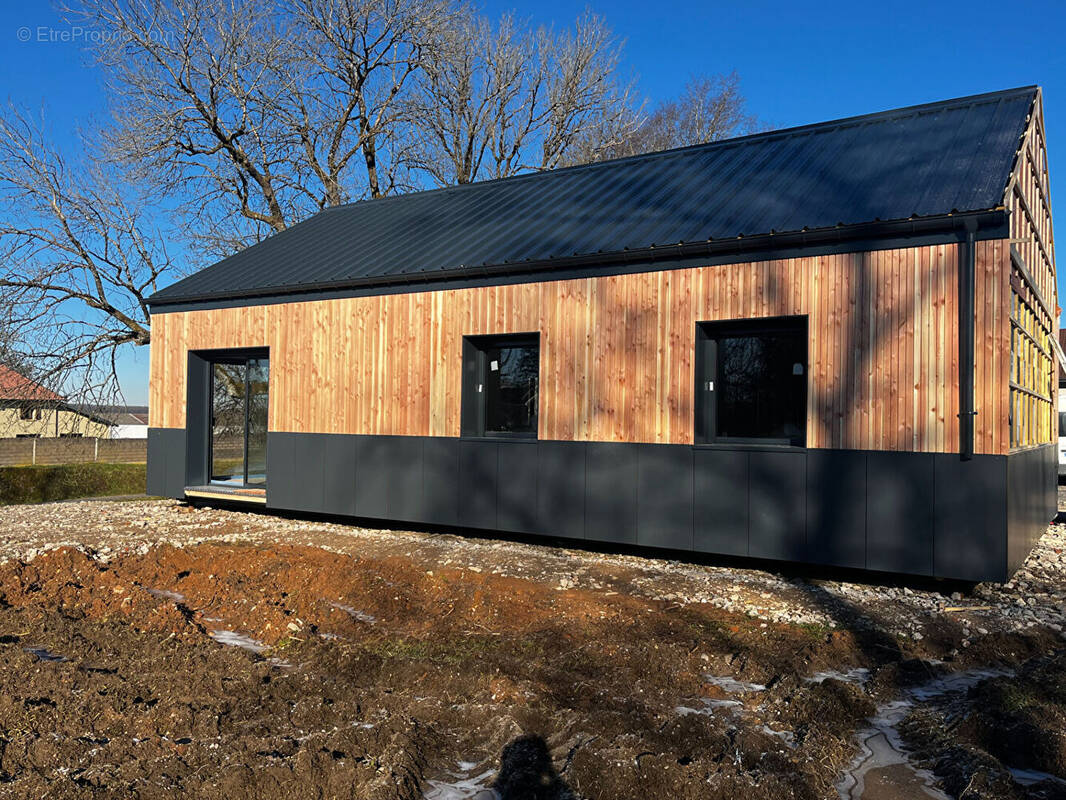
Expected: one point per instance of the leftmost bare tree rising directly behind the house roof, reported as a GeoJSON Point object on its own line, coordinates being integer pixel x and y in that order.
{"type": "Point", "coordinates": [193, 86]}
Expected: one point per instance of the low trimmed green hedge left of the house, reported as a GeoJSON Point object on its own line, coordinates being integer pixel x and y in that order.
{"type": "Point", "coordinates": [47, 484]}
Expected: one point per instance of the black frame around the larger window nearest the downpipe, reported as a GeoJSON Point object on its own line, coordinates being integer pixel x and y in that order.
{"type": "Point", "coordinates": [708, 378]}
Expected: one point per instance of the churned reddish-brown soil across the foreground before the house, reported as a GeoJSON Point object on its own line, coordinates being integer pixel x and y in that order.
{"type": "Point", "coordinates": [384, 674]}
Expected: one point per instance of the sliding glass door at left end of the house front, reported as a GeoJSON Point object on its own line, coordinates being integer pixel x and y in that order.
{"type": "Point", "coordinates": [239, 402]}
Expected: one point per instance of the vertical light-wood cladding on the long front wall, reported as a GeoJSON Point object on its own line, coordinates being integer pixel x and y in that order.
{"type": "Point", "coordinates": [617, 353]}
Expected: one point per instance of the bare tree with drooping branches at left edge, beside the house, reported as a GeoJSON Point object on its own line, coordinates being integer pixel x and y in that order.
{"type": "Point", "coordinates": [76, 261]}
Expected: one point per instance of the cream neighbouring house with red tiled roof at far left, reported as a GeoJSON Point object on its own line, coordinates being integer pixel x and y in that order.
{"type": "Point", "coordinates": [30, 411]}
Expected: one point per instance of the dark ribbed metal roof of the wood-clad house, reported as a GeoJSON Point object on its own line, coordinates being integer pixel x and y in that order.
{"type": "Point", "coordinates": [917, 163]}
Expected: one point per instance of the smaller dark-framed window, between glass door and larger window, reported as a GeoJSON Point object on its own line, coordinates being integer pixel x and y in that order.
{"type": "Point", "coordinates": [500, 386]}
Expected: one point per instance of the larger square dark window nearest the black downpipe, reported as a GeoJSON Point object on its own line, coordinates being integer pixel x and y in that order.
{"type": "Point", "coordinates": [752, 381]}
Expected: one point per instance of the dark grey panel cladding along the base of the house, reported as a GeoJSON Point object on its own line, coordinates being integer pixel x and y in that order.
{"type": "Point", "coordinates": [929, 515]}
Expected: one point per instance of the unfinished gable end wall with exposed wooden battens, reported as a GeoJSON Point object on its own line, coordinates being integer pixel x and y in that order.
{"type": "Point", "coordinates": [1035, 296]}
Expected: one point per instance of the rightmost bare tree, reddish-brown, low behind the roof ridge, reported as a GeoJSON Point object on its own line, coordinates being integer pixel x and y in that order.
{"type": "Point", "coordinates": [710, 108]}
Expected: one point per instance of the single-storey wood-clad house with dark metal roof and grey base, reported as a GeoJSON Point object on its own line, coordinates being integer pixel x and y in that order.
{"type": "Point", "coordinates": [832, 344]}
